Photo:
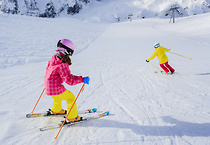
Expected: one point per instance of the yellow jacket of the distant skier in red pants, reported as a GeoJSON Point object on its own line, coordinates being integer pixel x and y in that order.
{"type": "Point", "coordinates": [160, 53]}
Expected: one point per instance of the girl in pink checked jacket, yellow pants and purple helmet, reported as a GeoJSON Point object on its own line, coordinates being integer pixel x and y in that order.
{"type": "Point", "coordinates": [57, 72]}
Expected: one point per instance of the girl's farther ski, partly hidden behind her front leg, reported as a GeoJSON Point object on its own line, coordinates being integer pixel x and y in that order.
{"type": "Point", "coordinates": [48, 113]}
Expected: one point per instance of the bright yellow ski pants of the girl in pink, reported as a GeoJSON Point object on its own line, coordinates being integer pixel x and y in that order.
{"type": "Point", "coordinates": [69, 98]}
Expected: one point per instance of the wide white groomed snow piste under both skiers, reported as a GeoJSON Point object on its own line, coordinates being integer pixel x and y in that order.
{"type": "Point", "coordinates": [146, 108]}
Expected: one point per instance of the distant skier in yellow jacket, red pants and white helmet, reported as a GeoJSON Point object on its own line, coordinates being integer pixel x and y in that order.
{"type": "Point", "coordinates": [163, 59]}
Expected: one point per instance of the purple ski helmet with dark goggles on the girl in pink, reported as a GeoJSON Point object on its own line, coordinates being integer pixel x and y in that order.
{"type": "Point", "coordinates": [66, 45]}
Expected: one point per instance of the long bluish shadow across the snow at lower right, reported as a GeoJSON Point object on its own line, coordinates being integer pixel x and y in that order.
{"type": "Point", "coordinates": [178, 128]}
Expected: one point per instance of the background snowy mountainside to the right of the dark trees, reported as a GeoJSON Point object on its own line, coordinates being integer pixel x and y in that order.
{"type": "Point", "coordinates": [109, 10]}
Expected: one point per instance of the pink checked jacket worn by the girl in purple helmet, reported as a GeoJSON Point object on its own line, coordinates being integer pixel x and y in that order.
{"type": "Point", "coordinates": [58, 72]}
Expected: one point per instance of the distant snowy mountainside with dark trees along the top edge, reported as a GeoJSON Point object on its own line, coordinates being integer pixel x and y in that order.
{"type": "Point", "coordinates": [109, 10]}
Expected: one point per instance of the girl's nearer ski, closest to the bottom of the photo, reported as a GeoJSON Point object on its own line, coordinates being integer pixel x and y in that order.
{"type": "Point", "coordinates": [97, 116]}
